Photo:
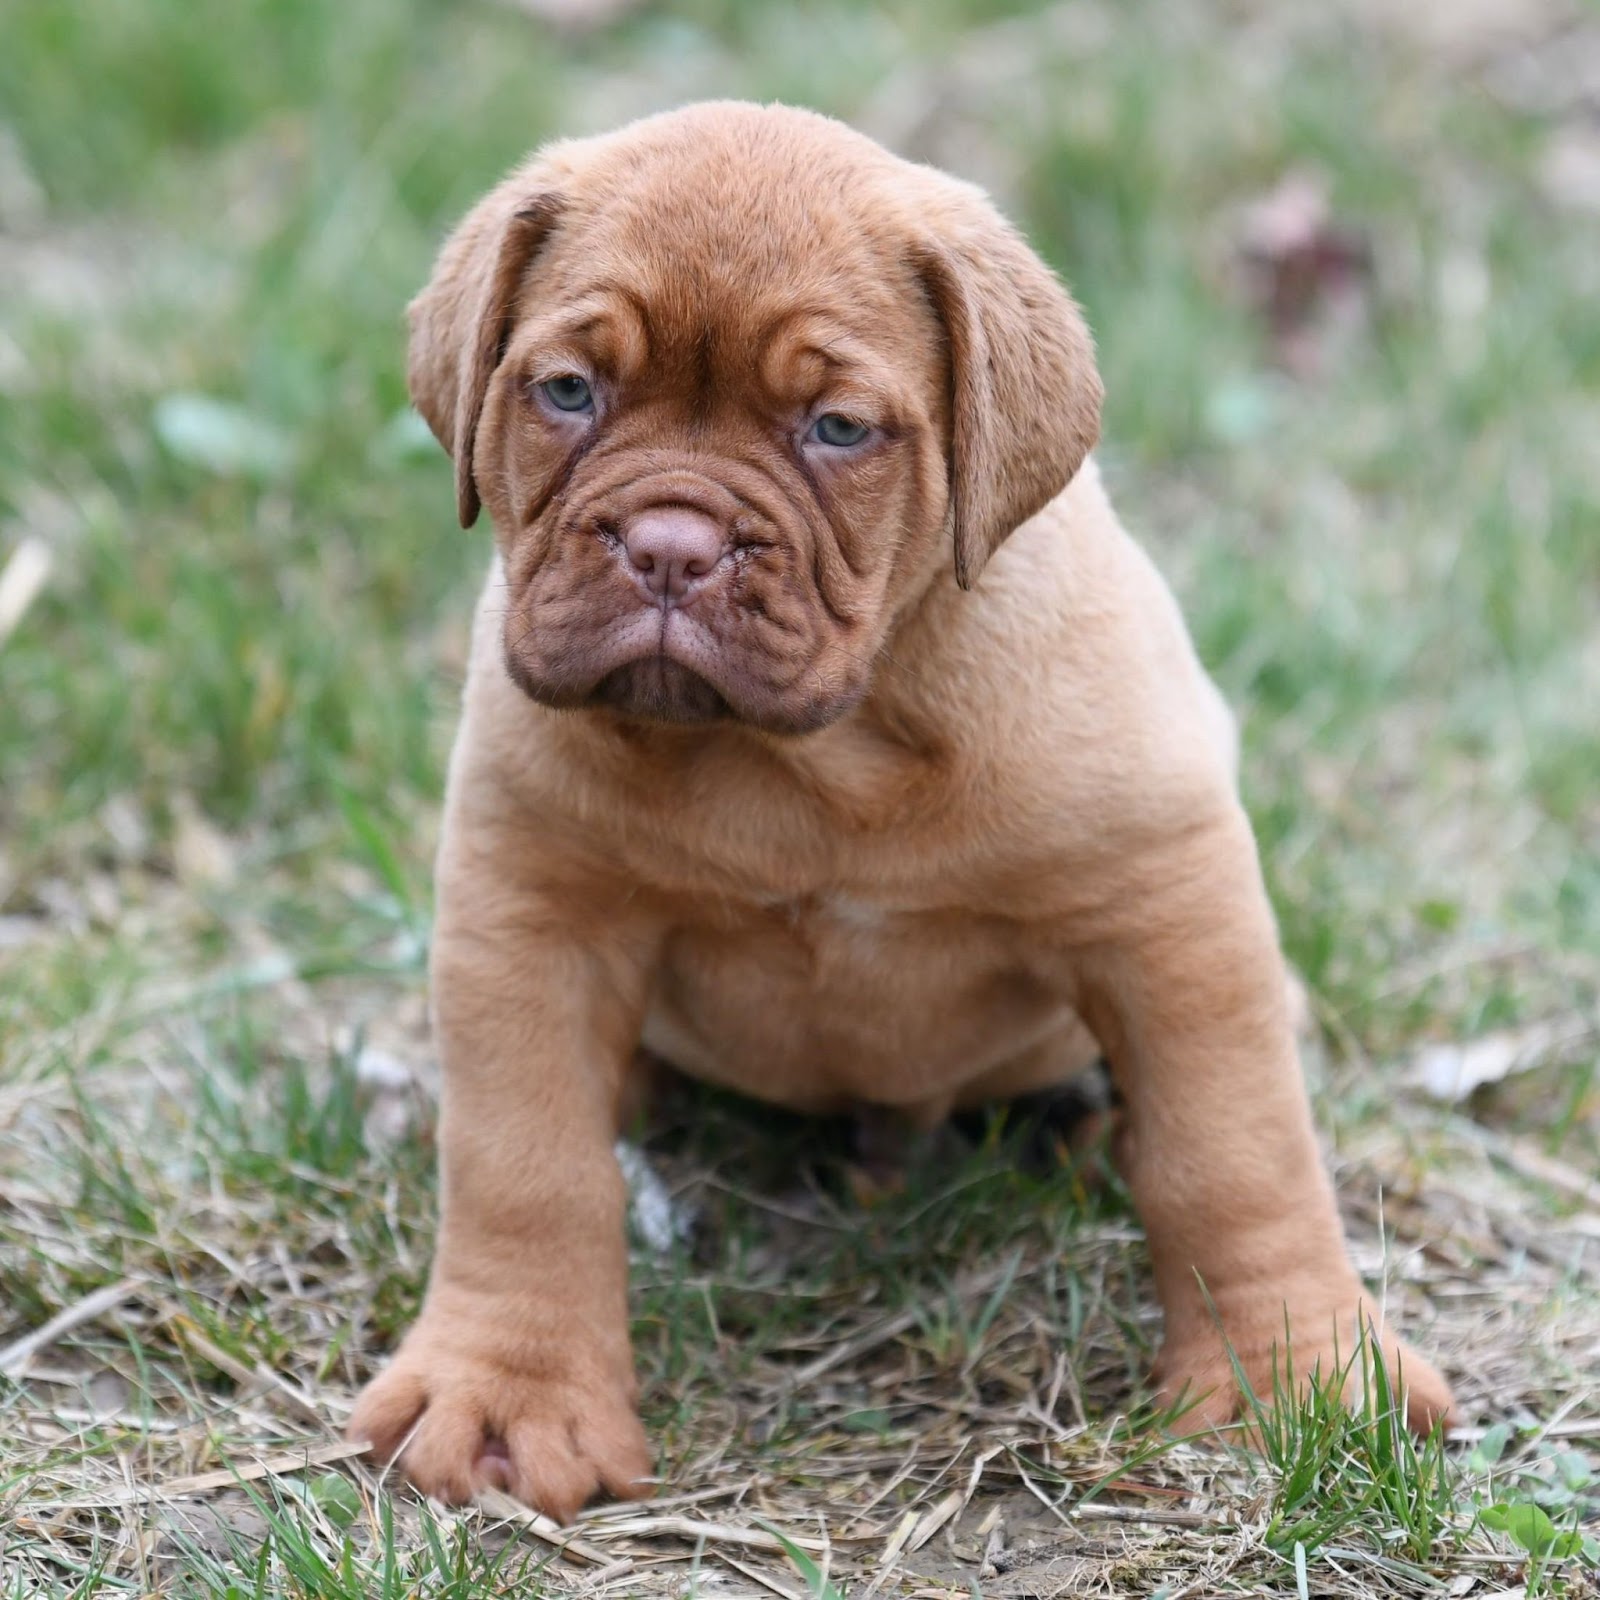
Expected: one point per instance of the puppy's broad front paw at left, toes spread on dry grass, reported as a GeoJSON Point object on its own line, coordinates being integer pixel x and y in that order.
{"type": "Point", "coordinates": [465, 1409]}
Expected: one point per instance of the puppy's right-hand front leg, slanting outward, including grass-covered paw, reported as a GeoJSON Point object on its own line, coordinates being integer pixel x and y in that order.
{"type": "Point", "coordinates": [1188, 996]}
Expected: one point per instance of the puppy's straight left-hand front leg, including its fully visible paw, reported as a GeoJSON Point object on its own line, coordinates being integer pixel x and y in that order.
{"type": "Point", "coordinates": [519, 1372]}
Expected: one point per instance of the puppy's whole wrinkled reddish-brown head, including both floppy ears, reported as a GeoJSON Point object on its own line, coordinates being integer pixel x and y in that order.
{"type": "Point", "coordinates": [735, 383]}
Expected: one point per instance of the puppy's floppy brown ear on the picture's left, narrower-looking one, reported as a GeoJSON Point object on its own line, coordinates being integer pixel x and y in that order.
{"type": "Point", "coordinates": [460, 324]}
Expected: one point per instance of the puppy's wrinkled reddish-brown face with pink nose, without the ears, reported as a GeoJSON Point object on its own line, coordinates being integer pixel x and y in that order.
{"type": "Point", "coordinates": [714, 462]}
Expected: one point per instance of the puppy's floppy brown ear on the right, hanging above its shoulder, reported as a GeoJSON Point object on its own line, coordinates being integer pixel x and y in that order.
{"type": "Point", "coordinates": [1025, 391]}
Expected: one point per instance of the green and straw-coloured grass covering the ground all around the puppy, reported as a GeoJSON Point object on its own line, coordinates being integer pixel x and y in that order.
{"type": "Point", "coordinates": [223, 729]}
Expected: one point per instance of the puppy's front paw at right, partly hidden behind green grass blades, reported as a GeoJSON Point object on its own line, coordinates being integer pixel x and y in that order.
{"type": "Point", "coordinates": [1201, 1374]}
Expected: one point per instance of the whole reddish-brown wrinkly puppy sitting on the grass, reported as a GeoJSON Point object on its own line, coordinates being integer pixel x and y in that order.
{"type": "Point", "coordinates": [748, 775]}
